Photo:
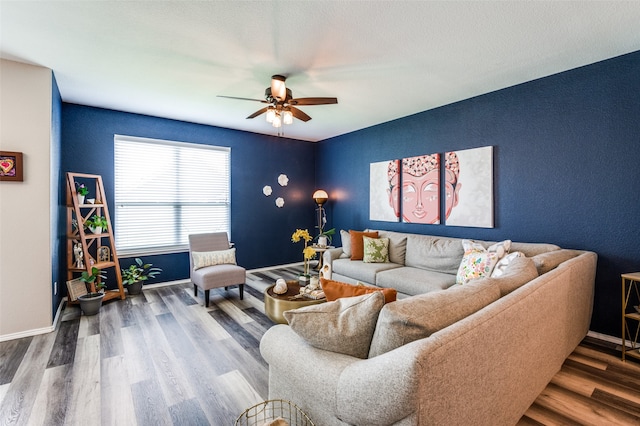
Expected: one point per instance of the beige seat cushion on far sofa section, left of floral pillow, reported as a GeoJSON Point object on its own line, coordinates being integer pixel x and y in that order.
{"type": "Point", "coordinates": [414, 281]}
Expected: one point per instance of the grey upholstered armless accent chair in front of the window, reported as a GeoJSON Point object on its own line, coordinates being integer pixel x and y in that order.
{"type": "Point", "coordinates": [215, 276]}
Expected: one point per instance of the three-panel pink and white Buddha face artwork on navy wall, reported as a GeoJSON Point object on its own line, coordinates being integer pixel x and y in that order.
{"type": "Point", "coordinates": [410, 188]}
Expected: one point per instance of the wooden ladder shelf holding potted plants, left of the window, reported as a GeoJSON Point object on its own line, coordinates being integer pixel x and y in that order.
{"type": "Point", "coordinates": [98, 250]}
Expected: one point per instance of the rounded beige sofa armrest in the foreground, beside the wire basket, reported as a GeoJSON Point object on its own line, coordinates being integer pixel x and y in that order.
{"type": "Point", "coordinates": [330, 386]}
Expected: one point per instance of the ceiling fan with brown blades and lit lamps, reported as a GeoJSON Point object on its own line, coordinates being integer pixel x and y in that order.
{"type": "Point", "coordinates": [282, 105]}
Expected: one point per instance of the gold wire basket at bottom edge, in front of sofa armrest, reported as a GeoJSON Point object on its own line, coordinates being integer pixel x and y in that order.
{"type": "Point", "coordinates": [268, 411]}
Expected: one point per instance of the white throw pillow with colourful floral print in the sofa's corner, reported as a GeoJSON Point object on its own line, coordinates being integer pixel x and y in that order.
{"type": "Point", "coordinates": [479, 262]}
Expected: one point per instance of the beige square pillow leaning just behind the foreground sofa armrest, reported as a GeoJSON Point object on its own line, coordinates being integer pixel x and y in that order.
{"type": "Point", "coordinates": [344, 326]}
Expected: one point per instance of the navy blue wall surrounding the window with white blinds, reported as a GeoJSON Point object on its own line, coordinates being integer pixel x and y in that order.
{"type": "Point", "coordinates": [260, 230]}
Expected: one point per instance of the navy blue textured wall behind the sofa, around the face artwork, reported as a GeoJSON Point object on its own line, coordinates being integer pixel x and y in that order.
{"type": "Point", "coordinates": [566, 167]}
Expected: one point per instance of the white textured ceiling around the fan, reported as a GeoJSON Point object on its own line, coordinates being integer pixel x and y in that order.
{"type": "Point", "coordinates": [381, 59]}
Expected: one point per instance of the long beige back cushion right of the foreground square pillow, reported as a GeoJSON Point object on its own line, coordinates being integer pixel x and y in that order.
{"type": "Point", "coordinates": [420, 316]}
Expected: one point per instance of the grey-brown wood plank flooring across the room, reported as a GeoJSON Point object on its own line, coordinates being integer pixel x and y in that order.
{"type": "Point", "coordinates": [162, 358]}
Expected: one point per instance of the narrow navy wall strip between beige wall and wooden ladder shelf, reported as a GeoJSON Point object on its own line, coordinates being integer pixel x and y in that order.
{"type": "Point", "coordinates": [57, 204]}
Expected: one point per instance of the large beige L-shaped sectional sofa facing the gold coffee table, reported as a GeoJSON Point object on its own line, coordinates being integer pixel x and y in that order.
{"type": "Point", "coordinates": [490, 346]}
